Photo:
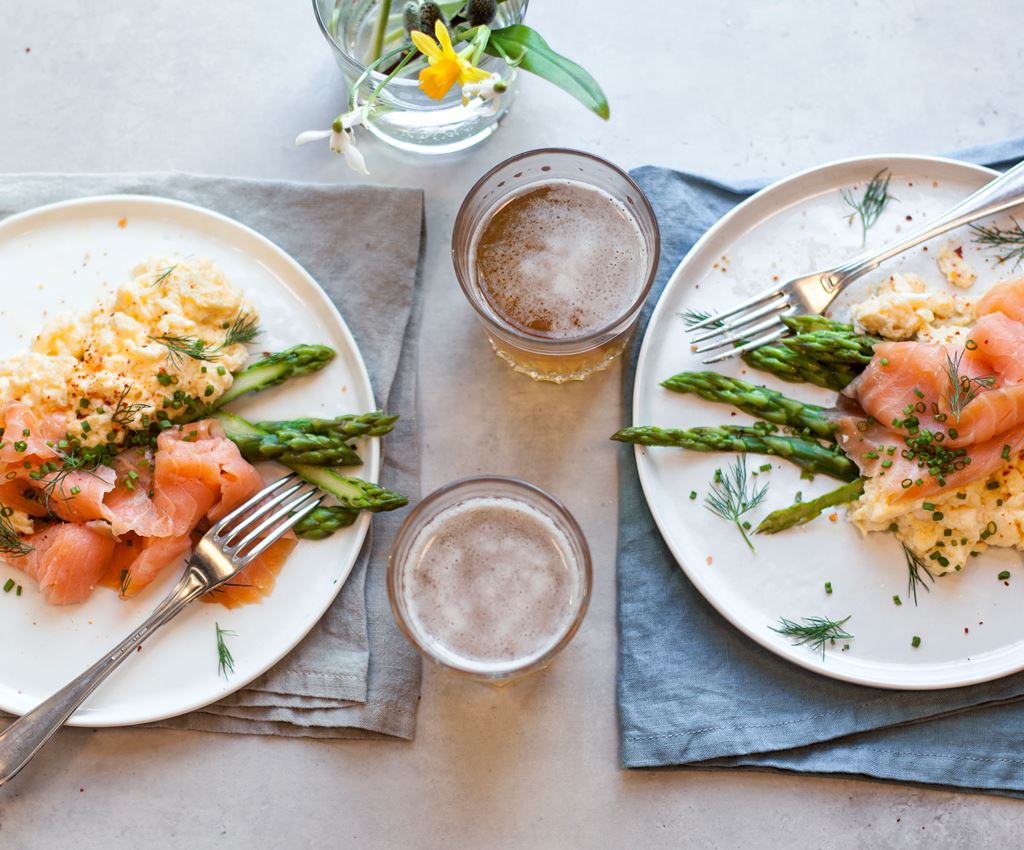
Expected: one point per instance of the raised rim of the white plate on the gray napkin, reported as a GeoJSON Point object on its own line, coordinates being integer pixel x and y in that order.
{"type": "Point", "coordinates": [373, 460]}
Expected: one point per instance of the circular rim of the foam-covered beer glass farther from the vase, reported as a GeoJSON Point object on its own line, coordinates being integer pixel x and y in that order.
{"type": "Point", "coordinates": [586, 570]}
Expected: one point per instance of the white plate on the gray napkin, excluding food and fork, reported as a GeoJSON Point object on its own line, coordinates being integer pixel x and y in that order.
{"type": "Point", "coordinates": [64, 258]}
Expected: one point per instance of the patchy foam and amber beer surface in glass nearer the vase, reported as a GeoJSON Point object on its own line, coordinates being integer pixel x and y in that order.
{"type": "Point", "coordinates": [562, 260]}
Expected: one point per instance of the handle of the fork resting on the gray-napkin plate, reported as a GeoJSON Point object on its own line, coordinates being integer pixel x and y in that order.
{"type": "Point", "coordinates": [26, 737]}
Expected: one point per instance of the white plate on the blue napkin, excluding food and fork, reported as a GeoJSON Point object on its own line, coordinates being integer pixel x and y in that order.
{"type": "Point", "coordinates": [970, 622]}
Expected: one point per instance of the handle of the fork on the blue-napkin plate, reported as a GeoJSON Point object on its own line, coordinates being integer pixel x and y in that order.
{"type": "Point", "coordinates": [1005, 192]}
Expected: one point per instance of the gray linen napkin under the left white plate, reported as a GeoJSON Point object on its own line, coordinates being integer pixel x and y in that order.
{"type": "Point", "coordinates": [355, 675]}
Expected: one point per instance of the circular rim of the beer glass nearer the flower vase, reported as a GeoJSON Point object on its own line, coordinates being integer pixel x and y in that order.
{"type": "Point", "coordinates": [592, 336]}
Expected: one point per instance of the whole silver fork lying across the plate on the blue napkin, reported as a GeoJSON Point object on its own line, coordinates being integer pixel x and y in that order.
{"type": "Point", "coordinates": [759, 320]}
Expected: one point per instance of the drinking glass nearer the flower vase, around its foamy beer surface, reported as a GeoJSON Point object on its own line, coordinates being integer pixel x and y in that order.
{"type": "Point", "coordinates": [572, 359]}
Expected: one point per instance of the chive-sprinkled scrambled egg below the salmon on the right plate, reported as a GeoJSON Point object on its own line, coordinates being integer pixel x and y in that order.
{"type": "Point", "coordinates": [948, 530]}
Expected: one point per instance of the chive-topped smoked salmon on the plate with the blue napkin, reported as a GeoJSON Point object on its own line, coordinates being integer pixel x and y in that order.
{"type": "Point", "coordinates": [924, 418]}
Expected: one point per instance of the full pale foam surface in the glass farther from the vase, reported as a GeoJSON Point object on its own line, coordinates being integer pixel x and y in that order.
{"type": "Point", "coordinates": [491, 581]}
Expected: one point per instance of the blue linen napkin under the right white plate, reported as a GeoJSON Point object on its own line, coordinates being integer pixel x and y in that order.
{"type": "Point", "coordinates": [695, 692]}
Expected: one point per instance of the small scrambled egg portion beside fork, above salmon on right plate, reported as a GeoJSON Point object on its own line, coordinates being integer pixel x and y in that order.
{"type": "Point", "coordinates": [904, 309]}
